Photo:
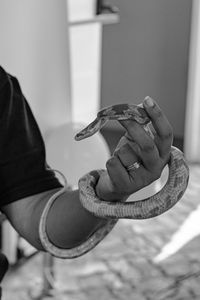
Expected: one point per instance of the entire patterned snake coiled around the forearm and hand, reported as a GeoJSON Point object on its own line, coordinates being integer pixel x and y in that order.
{"type": "Point", "coordinates": [150, 207]}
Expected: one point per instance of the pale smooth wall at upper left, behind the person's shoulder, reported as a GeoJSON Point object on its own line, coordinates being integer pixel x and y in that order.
{"type": "Point", "coordinates": [34, 47]}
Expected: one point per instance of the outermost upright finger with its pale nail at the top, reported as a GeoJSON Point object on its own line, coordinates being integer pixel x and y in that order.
{"type": "Point", "coordinates": [162, 126]}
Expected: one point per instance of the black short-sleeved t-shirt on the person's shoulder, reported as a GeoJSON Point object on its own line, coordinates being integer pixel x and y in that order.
{"type": "Point", "coordinates": [23, 168]}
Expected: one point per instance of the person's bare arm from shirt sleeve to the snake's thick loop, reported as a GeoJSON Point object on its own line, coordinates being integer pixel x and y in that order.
{"type": "Point", "coordinates": [68, 223]}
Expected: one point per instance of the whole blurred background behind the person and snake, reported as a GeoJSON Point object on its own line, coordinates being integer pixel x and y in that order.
{"type": "Point", "coordinates": [73, 57]}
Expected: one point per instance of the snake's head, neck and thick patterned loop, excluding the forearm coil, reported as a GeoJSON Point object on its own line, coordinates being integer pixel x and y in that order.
{"type": "Point", "coordinates": [153, 206]}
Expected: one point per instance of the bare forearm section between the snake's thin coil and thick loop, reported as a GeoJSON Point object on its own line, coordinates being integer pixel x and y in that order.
{"type": "Point", "coordinates": [68, 223]}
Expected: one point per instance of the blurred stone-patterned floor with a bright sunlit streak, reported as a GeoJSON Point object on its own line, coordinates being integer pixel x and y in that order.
{"type": "Point", "coordinates": [155, 259]}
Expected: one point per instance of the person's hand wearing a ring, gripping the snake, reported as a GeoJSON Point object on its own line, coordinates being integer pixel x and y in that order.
{"type": "Point", "coordinates": [137, 145]}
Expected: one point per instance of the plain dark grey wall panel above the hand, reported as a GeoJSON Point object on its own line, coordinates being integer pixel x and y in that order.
{"type": "Point", "coordinates": [147, 54]}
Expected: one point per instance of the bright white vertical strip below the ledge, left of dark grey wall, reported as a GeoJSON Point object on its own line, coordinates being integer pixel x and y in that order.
{"type": "Point", "coordinates": [85, 53]}
